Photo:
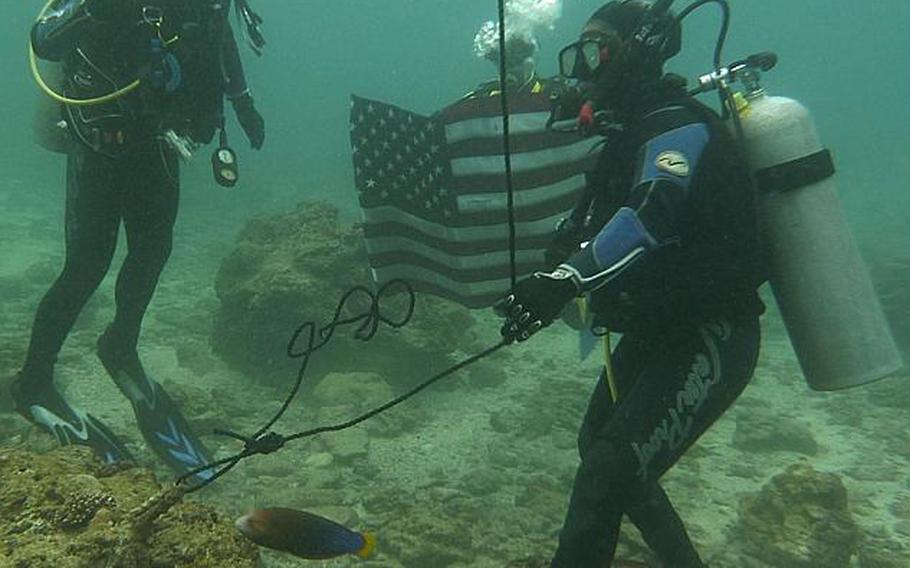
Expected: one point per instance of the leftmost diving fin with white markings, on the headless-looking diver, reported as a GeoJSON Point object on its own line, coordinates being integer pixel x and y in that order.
{"type": "Point", "coordinates": [48, 409]}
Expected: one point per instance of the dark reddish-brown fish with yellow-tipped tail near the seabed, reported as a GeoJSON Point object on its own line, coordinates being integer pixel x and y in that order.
{"type": "Point", "coordinates": [303, 534]}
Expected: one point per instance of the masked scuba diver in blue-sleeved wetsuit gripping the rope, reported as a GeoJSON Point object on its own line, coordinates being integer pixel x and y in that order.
{"type": "Point", "coordinates": [664, 245]}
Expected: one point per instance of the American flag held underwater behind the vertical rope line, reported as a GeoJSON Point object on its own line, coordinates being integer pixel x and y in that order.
{"type": "Point", "coordinates": [433, 191]}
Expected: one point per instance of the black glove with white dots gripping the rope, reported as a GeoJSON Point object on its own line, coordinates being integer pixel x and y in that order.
{"type": "Point", "coordinates": [535, 302]}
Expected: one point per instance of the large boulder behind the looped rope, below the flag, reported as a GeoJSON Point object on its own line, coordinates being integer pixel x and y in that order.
{"type": "Point", "coordinates": [294, 267]}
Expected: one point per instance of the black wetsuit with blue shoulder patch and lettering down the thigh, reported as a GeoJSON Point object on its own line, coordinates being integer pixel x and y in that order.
{"type": "Point", "coordinates": [688, 310]}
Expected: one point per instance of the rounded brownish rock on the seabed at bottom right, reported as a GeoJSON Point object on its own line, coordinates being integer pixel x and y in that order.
{"type": "Point", "coordinates": [799, 519]}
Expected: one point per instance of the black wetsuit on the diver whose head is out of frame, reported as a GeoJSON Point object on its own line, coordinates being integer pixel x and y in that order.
{"type": "Point", "coordinates": [120, 169]}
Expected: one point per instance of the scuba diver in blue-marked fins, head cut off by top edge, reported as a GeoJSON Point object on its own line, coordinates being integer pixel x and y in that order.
{"type": "Point", "coordinates": [144, 84]}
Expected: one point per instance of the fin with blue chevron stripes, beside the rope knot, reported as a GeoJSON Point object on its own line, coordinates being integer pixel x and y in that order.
{"type": "Point", "coordinates": [163, 426]}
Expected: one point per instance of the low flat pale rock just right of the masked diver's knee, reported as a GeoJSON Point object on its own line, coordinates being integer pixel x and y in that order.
{"type": "Point", "coordinates": [760, 431]}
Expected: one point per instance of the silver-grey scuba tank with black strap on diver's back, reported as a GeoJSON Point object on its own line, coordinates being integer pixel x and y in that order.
{"type": "Point", "coordinates": [823, 289]}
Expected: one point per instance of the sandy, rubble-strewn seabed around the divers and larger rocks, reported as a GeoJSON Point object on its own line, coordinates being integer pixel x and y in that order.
{"type": "Point", "coordinates": [482, 474]}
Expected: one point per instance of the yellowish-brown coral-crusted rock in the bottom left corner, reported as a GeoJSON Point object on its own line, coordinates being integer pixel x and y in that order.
{"type": "Point", "coordinates": [66, 509]}
